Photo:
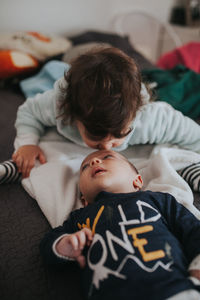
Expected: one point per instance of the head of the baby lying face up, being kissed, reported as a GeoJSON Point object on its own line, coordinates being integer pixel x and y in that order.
{"type": "Point", "coordinates": [109, 171]}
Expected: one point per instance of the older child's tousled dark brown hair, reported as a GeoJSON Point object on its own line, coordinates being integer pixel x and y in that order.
{"type": "Point", "coordinates": [103, 92]}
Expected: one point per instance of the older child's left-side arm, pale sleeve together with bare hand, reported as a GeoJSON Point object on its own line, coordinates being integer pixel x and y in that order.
{"type": "Point", "coordinates": [32, 117]}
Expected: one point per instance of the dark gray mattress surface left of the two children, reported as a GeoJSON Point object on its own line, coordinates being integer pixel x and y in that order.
{"type": "Point", "coordinates": [22, 225]}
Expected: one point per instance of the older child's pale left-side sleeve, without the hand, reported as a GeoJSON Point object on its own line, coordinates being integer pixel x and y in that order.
{"type": "Point", "coordinates": [38, 112]}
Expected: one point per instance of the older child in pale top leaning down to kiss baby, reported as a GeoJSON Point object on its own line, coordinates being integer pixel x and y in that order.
{"type": "Point", "coordinates": [100, 103]}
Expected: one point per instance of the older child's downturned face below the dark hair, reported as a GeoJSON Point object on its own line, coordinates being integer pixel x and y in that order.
{"type": "Point", "coordinates": [107, 143]}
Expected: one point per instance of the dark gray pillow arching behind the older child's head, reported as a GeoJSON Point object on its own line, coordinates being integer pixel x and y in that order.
{"type": "Point", "coordinates": [121, 42]}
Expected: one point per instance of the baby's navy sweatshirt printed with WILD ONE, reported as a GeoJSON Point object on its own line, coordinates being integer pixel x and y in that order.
{"type": "Point", "coordinates": [143, 244]}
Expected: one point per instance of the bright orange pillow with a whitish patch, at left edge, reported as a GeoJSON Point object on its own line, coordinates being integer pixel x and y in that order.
{"type": "Point", "coordinates": [15, 63]}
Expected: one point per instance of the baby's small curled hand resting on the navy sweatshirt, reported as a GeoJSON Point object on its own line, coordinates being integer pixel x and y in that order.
{"type": "Point", "coordinates": [73, 244]}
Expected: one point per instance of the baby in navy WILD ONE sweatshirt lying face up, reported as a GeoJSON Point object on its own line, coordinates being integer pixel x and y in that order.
{"type": "Point", "coordinates": [131, 244]}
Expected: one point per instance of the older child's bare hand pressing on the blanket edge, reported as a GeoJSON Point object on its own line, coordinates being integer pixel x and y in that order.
{"type": "Point", "coordinates": [25, 158]}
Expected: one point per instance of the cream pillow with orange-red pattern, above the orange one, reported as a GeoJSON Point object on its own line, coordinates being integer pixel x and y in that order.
{"type": "Point", "coordinates": [36, 44]}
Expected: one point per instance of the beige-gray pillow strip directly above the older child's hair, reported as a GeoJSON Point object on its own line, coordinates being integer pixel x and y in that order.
{"type": "Point", "coordinates": [75, 51]}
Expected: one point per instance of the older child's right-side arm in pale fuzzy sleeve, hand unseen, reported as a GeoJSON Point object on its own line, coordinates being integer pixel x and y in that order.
{"type": "Point", "coordinates": [159, 123]}
